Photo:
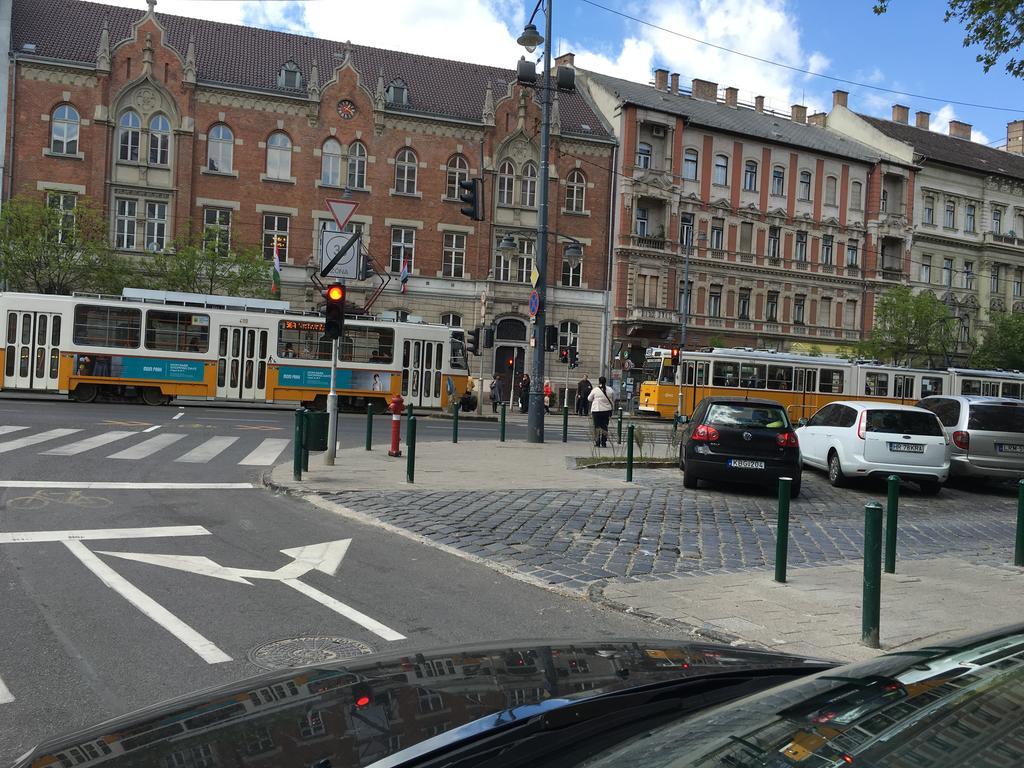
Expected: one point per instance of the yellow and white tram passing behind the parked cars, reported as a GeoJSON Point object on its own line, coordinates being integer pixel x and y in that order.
{"type": "Point", "coordinates": [802, 383]}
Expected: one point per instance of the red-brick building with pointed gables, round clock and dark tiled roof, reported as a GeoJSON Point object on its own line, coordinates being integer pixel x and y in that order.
{"type": "Point", "coordinates": [176, 125]}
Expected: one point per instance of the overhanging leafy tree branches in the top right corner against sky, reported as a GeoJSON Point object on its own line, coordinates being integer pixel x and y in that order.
{"type": "Point", "coordinates": [998, 26]}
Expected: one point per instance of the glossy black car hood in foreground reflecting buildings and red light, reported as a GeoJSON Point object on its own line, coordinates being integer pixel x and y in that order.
{"type": "Point", "coordinates": [377, 708]}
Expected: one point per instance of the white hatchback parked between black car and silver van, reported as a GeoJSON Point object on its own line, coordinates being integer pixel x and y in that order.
{"type": "Point", "coordinates": [868, 440]}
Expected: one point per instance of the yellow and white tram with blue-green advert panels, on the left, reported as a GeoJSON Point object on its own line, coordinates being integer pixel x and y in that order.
{"type": "Point", "coordinates": [158, 347]}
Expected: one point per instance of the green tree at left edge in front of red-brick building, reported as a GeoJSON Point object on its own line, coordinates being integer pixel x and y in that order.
{"type": "Point", "coordinates": [47, 249]}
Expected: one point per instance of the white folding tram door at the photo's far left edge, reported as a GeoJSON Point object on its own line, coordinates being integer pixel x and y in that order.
{"type": "Point", "coordinates": [32, 352]}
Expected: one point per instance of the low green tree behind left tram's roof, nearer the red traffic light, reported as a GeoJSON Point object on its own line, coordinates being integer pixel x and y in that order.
{"type": "Point", "coordinates": [208, 266]}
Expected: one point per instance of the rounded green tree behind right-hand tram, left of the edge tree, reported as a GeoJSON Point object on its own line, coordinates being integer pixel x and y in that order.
{"type": "Point", "coordinates": [910, 329]}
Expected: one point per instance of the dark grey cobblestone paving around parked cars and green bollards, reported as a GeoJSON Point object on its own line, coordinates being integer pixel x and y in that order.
{"type": "Point", "coordinates": [659, 530]}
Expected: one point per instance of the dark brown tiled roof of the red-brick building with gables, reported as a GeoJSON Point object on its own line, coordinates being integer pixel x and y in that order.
{"type": "Point", "coordinates": [251, 58]}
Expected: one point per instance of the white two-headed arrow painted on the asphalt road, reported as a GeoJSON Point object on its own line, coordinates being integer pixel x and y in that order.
{"type": "Point", "coordinates": [325, 558]}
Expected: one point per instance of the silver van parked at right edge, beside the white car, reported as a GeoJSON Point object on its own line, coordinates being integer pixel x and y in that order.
{"type": "Point", "coordinates": [987, 435]}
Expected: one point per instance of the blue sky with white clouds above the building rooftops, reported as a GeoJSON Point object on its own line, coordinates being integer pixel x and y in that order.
{"type": "Point", "coordinates": [910, 50]}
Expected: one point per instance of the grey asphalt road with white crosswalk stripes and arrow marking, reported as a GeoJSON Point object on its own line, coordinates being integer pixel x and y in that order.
{"type": "Point", "coordinates": [87, 634]}
